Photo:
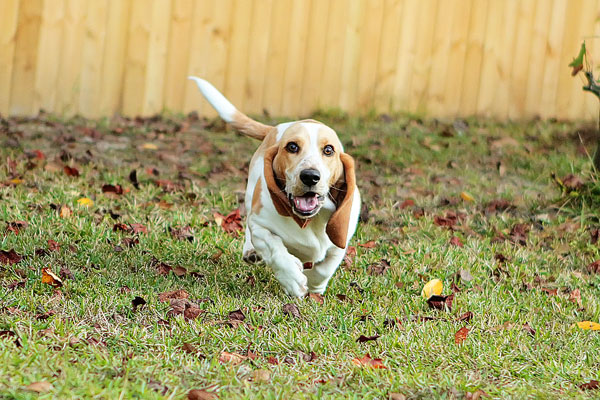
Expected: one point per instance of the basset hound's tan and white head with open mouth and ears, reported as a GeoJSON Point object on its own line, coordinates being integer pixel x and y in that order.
{"type": "Point", "coordinates": [305, 167]}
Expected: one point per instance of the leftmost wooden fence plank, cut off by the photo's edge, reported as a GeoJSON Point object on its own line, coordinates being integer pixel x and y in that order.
{"type": "Point", "coordinates": [8, 29]}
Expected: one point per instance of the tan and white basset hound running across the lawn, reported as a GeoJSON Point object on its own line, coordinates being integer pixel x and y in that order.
{"type": "Point", "coordinates": [301, 199]}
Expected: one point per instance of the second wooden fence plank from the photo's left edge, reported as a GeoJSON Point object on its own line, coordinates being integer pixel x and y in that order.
{"type": "Point", "coordinates": [25, 58]}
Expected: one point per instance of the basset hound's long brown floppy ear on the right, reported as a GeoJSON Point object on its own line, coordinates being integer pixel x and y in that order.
{"type": "Point", "coordinates": [343, 194]}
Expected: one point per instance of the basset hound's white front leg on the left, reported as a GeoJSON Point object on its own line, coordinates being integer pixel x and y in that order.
{"type": "Point", "coordinates": [287, 268]}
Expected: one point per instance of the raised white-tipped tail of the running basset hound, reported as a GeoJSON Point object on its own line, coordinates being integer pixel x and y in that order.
{"type": "Point", "coordinates": [229, 113]}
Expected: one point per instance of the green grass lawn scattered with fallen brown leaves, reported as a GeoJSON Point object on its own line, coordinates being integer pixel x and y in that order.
{"type": "Point", "coordinates": [472, 203]}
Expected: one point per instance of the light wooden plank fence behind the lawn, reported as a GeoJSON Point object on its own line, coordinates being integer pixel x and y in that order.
{"type": "Point", "coordinates": [500, 58]}
